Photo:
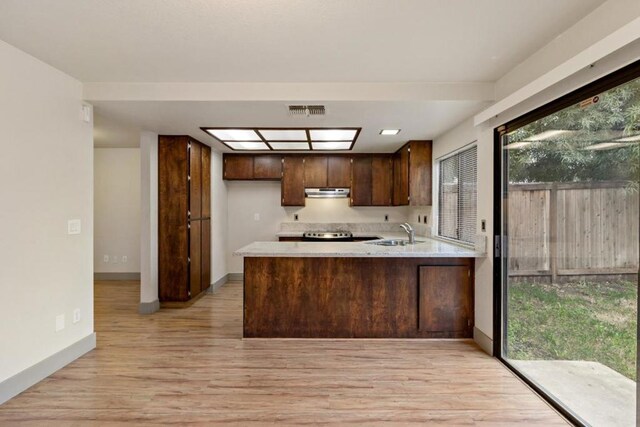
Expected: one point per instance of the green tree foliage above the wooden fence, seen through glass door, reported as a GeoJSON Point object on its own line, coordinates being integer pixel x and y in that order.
{"type": "Point", "coordinates": [565, 158]}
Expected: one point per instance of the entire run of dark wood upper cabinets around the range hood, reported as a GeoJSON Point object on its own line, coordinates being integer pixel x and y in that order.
{"type": "Point", "coordinates": [399, 179]}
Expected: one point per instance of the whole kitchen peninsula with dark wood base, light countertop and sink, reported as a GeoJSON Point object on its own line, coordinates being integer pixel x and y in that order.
{"type": "Point", "coordinates": [358, 289]}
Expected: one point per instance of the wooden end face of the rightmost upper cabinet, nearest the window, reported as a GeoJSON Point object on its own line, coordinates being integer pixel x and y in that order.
{"type": "Point", "coordinates": [420, 173]}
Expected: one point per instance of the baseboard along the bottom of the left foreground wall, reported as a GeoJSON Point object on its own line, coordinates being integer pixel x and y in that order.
{"type": "Point", "coordinates": [21, 381]}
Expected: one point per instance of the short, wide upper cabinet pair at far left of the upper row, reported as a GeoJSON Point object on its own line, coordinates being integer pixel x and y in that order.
{"type": "Point", "coordinates": [266, 167]}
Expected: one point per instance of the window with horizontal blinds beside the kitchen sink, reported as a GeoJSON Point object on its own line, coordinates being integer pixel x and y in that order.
{"type": "Point", "coordinates": [457, 196]}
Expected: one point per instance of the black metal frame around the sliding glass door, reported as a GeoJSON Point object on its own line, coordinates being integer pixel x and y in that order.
{"type": "Point", "coordinates": [500, 195]}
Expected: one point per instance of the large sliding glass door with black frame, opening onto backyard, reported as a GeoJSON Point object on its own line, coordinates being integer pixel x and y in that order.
{"type": "Point", "coordinates": [569, 236]}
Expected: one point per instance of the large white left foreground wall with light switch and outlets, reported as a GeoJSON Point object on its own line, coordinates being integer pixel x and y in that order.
{"type": "Point", "coordinates": [46, 178]}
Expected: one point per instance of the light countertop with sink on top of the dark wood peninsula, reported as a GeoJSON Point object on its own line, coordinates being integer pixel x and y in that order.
{"type": "Point", "coordinates": [426, 248]}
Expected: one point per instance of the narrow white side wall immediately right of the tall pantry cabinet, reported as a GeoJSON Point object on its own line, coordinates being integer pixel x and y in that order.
{"type": "Point", "coordinates": [219, 220]}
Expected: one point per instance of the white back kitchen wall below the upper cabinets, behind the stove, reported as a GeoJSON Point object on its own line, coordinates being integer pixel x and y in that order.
{"type": "Point", "coordinates": [246, 198]}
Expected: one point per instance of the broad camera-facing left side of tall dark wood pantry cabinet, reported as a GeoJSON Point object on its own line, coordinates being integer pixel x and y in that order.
{"type": "Point", "coordinates": [173, 199]}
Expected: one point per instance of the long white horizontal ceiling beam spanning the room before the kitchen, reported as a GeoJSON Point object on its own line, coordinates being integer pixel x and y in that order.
{"type": "Point", "coordinates": [289, 91]}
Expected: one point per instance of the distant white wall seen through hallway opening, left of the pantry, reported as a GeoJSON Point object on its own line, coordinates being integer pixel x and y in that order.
{"type": "Point", "coordinates": [116, 210]}
